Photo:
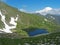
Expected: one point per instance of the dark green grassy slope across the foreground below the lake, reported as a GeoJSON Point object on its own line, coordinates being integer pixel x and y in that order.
{"type": "Point", "coordinates": [44, 39]}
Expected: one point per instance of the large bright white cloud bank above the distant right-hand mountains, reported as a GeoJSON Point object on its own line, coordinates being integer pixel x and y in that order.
{"type": "Point", "coordinates": [48, 10]}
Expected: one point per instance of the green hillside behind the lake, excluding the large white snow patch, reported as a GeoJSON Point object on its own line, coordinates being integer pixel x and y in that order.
{"type": "Point", "coordinates": [27, 20]}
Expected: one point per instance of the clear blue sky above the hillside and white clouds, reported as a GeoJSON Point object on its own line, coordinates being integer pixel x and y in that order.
{"type": "Point", "coordinates": [33, 5]}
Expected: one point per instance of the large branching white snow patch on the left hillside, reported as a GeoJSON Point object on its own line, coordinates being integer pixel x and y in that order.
{"type": "Point", "coordinates": [8, 28]}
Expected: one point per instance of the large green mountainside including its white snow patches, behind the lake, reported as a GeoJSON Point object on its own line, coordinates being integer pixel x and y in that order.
{"type": "Point", "coordinates": [14, 21]}
